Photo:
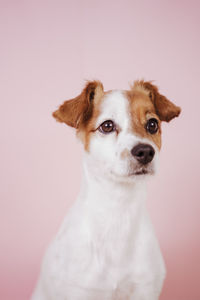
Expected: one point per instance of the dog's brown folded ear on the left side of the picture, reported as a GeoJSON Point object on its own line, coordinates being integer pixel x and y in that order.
{"type": "Point", "coordinates": [77, 111]}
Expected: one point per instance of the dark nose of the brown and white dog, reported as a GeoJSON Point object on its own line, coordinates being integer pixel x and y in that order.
{"type": "Point", "coordinates": [144, 153]}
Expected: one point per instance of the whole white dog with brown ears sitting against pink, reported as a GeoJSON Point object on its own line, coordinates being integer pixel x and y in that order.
{"type": "Point", "coordinates": [106, 248]}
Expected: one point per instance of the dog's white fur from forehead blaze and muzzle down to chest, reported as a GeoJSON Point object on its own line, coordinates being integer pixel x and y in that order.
{"type": "Point", "coordinates": [106, 248]}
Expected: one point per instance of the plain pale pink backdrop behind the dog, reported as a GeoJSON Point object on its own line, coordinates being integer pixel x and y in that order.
{"type": "Point", "coordinates": [48, 49]}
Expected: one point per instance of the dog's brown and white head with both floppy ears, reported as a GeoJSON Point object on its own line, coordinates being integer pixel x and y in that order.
{"type": "Point", "coordinates": [120, 130]}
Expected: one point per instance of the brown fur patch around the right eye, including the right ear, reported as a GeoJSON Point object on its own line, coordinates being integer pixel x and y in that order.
{"type": "Point", "coordinates": [146, 103]}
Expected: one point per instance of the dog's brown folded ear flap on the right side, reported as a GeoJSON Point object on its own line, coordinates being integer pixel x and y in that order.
{"type": "Point", "coordinates": [165, 109]}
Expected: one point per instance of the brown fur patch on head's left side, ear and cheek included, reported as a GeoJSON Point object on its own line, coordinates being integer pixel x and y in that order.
{"type": "Point", "coordinates": [81, 111]}
